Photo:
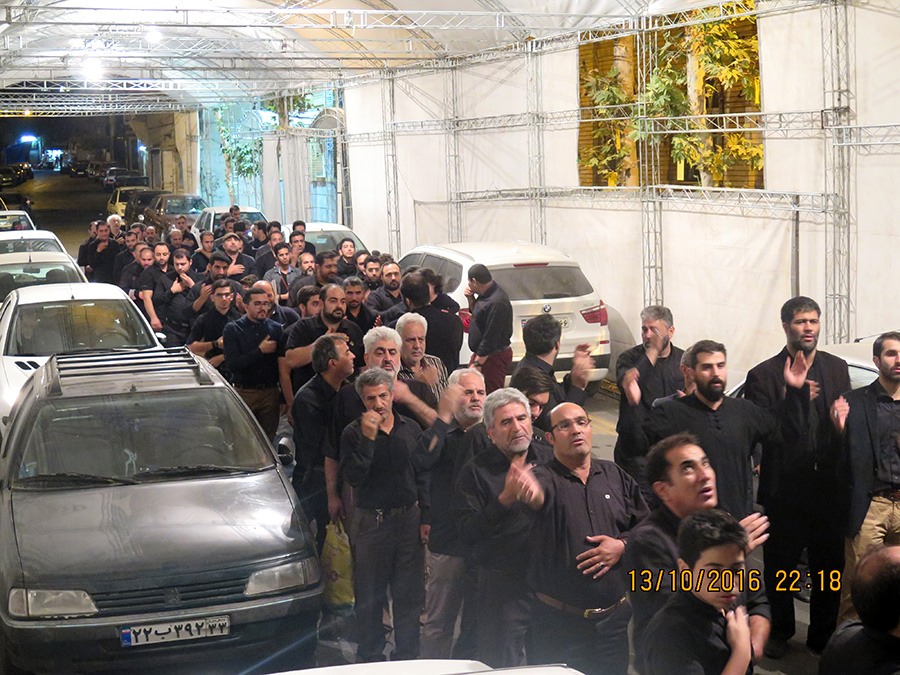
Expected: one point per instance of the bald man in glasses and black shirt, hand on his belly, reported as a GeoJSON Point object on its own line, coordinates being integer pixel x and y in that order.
{"type": "Point", "coordinates": [586, 508]}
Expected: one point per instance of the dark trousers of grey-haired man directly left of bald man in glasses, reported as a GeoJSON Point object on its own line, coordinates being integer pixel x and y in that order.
{"type": "Point", "coordinates": [504, 613]}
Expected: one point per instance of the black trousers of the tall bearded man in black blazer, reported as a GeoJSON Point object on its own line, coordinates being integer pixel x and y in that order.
{"type": "Point", "coordinates": [789, 534]}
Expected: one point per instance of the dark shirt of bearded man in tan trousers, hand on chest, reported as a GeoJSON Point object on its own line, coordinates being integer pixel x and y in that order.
{"type": "Point", "coordinates": [249, 367]}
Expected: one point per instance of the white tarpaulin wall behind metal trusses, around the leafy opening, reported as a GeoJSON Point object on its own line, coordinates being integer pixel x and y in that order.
{"type": "Point", "coordinates": [725, 276]}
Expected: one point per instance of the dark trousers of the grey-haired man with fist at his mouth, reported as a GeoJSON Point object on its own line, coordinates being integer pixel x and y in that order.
{"type": "Point", "coordinates": [387, 552]}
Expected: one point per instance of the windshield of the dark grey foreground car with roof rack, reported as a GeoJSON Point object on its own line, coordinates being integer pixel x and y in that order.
{"type": "Point", "coordinates": [129, 437]}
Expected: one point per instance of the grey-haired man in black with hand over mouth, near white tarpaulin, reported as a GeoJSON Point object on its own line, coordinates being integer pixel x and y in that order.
{"type": "Point", "coordinates": [645, 373]}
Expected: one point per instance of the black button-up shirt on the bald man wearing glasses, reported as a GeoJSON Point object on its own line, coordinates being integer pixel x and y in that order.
{"type": "Point", "coordinates": [609, 503]}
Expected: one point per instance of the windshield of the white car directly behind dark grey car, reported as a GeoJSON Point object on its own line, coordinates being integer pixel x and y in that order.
{"type": "Point", "coordinates": [76, 325]}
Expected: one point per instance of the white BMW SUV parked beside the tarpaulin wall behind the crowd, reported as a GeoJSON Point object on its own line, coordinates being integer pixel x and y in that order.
{"type": "Point", "coordinates": [538, 280]}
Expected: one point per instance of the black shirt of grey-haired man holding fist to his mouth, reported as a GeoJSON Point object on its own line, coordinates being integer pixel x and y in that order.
{"type": "Point", "coordinates": [382, 471]}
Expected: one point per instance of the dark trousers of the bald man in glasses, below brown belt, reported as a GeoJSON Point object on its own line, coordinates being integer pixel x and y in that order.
{"type": "Point", "coordinates": [594, 647]}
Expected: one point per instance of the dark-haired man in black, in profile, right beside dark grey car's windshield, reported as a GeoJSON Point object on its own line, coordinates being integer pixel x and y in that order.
{"type": "Point", "coordinates": [311, 411]}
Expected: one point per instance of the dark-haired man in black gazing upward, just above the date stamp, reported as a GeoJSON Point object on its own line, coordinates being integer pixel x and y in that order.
{"type": "Point", "coordinates": [684, 482]}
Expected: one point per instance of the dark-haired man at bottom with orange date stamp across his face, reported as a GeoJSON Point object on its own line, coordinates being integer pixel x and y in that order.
{"type": "Point", "coordinates": [704, 629]}
